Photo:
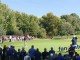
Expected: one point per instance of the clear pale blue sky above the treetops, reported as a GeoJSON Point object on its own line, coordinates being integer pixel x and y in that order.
{"type": "Point", "coordinates": [42, 7]}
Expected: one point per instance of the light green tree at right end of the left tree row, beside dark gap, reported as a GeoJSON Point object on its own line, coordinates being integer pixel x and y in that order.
{"type": "Point", "coordinates": [34, 25]}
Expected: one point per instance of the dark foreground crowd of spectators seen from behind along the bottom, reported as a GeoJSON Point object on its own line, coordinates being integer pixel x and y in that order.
{"type": "Point", "coordinates": [9, 53]}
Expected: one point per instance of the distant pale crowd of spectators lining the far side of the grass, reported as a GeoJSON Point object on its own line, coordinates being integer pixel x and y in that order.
{"type": "Point", "coordinates": [13, 38]}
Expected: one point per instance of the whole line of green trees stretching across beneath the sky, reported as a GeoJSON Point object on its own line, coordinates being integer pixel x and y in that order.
{"type": "Point", "coordinates": [49, 25]}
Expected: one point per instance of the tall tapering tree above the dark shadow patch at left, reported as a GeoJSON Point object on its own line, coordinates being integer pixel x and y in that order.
{"type": "Point", "coordinates": [11, 24]}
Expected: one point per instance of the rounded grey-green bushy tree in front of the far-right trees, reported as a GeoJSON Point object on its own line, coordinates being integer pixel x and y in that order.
{"type": "Point", "coordinates": [66, 29]}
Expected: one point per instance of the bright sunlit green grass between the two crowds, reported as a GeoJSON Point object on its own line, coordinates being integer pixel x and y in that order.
{"type": "Point", "coordinates": [41, 44]}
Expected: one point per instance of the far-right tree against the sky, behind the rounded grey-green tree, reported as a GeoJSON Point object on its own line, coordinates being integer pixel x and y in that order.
{"type": "Point", "coordinates": [72, 19]}
